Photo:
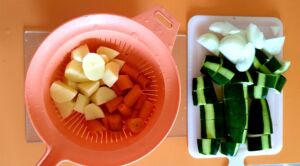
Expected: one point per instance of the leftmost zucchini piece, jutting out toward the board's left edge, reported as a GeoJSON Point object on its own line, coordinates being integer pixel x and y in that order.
{"type": "Point", "coordinates": [204, 96]}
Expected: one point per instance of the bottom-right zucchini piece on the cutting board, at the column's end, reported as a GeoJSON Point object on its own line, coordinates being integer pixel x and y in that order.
{"type": "Point", "coordinates": [259, 142]}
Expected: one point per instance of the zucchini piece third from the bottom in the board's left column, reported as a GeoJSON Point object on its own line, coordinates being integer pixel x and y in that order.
{"type": "Point", "coordinates": [212, 111]}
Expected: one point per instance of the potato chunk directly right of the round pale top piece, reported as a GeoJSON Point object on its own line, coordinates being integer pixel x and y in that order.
{"type": "Point", "coordinates": [111, 74]}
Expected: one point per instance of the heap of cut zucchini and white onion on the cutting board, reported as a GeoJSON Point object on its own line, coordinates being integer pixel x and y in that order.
{"type": "Point", "coordinates": [244, 66]}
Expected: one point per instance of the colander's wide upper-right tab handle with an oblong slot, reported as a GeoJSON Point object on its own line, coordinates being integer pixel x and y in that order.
{"type": "Point", "coordinates": [159, 21]}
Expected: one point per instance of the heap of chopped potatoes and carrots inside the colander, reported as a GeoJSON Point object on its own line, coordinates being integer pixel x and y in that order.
{"type": "Point", "coordinates": [105, 89]}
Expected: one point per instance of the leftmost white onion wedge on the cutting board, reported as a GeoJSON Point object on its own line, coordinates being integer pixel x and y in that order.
{"type": "Point", "coordinates": [209, 41]}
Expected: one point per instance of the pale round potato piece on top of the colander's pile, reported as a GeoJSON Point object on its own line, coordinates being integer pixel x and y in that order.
{"type": "Point", "coordinates": [93, 66]}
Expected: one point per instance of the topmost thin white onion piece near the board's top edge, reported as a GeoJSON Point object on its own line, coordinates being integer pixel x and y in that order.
{"type": "Point", "coordinates": [223, 28]}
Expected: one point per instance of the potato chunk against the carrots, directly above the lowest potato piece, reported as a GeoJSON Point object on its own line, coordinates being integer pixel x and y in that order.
{"type": "Point", "coordinates": [103, 95]}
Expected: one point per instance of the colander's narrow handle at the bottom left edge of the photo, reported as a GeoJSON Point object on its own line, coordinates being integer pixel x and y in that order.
{"type": "Point", "coordinates": [50, 158]}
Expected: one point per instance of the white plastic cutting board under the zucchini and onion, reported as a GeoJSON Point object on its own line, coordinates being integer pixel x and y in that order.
{"type": "Point", "coordinates": [198, 25]}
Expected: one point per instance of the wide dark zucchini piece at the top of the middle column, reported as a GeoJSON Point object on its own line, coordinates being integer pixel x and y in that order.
{"type": "Point", "coordinates": [235, 91]}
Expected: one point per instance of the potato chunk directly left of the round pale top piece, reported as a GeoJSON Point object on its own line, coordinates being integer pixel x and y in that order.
{"type": "Point", "coordinates": [74, 72]}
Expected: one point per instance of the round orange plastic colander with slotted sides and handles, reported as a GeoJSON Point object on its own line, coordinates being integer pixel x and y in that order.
{"type": "Point", "coordinates": [144, 42]}
